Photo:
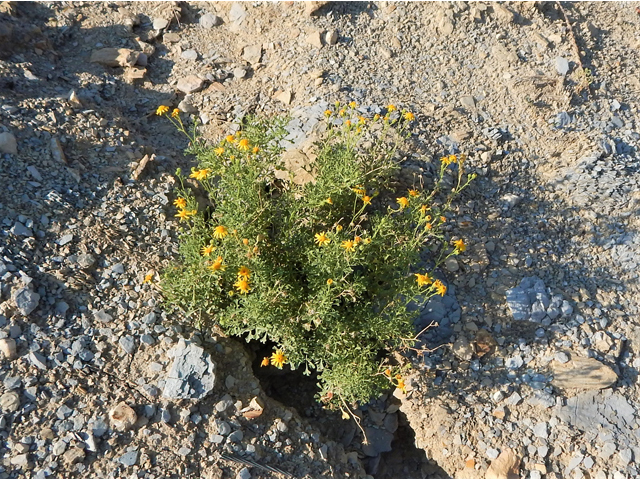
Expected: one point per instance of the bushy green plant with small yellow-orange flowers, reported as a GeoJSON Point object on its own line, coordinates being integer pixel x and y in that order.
{"type": "Point", "coordinates": [323, 267]}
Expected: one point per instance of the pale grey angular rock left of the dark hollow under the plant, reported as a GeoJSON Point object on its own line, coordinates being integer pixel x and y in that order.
{"type": "Point", "coordinates": [191, 374]}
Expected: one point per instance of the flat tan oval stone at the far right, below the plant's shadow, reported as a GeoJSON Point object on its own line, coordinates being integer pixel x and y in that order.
{"type": "Point", "coordinates": [583, 373]}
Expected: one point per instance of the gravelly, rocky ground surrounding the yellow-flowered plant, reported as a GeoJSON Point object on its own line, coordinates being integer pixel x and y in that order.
{"type": "Point", "coordinates": [532, 371]}
